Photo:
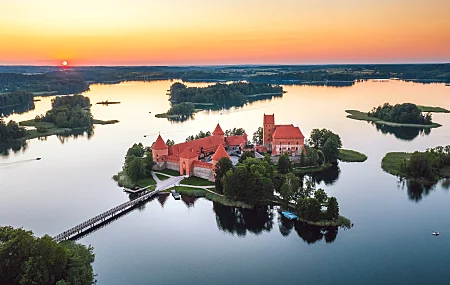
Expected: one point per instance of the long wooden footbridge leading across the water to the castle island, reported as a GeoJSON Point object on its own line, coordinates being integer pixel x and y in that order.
{"type": "Point", "coordinates": [118, 210]}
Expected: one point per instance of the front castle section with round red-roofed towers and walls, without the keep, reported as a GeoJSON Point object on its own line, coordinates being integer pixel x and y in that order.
{"type": "Point", "coordinates": [191, 158]}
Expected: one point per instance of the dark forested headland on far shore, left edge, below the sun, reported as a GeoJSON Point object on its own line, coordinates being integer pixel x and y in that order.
{"type": "Point", "coordinates": [61, 82]}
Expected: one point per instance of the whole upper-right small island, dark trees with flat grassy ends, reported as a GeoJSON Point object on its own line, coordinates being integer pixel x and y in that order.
{"type": "Point", "coordinates": [399, 115]}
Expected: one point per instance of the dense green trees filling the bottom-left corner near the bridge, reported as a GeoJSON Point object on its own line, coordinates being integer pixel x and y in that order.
{"type": "Point", "coordinates": [26, 259]}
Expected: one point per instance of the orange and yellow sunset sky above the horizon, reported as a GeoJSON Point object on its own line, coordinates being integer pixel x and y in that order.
{"type": "Point", "coordinates": [209, 32]}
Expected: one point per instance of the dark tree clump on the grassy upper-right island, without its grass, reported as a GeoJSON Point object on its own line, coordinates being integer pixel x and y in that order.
{"type": "Point", "coordinates": [406, 113]}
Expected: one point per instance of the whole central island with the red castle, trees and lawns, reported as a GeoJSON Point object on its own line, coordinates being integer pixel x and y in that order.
{"type": "Point", "coordinates": [226, 168]}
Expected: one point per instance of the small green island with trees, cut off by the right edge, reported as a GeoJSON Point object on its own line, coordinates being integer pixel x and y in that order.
{"type": "Point", "coordinates": [423, 167]}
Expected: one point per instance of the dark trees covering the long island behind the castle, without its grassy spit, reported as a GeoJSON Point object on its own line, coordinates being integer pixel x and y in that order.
{"type": "Point", "coordinates": [221, 94]}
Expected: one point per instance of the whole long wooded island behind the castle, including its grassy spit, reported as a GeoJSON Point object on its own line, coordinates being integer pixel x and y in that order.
{"type": "Point", "coordinates": [185, 99]}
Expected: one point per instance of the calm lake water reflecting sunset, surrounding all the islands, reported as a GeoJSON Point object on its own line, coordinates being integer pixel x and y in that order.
{"type": "Point", "coordinates": [199, 242]}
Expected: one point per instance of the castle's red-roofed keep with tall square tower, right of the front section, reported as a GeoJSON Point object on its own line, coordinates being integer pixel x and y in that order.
{"type": "Point", "coordinates": [280, 139]}
